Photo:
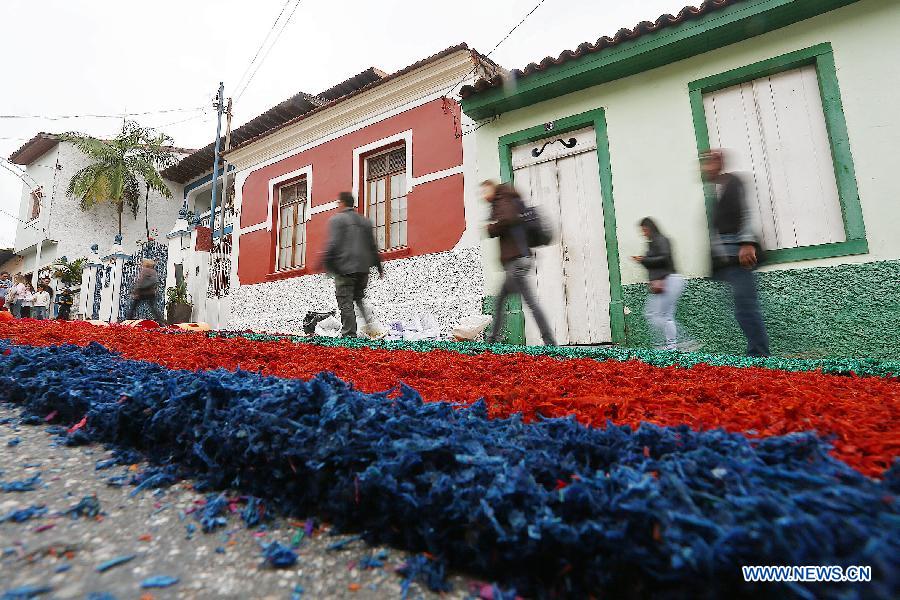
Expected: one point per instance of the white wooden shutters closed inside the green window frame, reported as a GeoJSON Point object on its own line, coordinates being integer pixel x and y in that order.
{"type": "Point", "coordinates": [773, 131]}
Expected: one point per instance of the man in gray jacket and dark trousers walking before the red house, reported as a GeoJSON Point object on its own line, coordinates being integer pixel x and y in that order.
{"type": "Point", "coordinates": [350, 254]}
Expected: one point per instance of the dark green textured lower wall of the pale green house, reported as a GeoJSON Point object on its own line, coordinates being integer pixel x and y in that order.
{"type": "Point", "coordinates": [846, 310]}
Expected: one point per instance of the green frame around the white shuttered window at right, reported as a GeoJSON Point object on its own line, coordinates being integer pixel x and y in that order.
{"type": "Point", "coordinates": [822, 56]}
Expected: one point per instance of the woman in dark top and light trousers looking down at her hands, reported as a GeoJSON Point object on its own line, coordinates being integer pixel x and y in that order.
{"type": "Point", "coordinates": [666, 287]}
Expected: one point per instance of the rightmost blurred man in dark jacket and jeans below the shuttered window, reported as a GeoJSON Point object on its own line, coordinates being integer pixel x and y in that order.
{"type": "Point", "coordinates": [735, 249]}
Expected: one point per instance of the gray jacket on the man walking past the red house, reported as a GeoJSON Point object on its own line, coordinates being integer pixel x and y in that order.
{"type": "Point", "coordinates": [351, 244]}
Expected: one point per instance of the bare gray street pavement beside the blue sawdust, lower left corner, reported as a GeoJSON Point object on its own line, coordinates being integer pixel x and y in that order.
{"type": "Point", "coordinates": [63, 553]}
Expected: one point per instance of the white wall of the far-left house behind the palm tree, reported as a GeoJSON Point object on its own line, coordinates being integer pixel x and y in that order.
{"type": "Point", "coordinates": [76, 230]}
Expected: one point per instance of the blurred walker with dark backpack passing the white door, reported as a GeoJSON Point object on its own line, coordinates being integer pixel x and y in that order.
{"type": "Point", "coordinates": [515, 255]}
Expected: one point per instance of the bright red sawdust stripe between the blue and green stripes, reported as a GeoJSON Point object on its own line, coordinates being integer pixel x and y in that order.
{"type": "Point", "coordinates": [859, 415]}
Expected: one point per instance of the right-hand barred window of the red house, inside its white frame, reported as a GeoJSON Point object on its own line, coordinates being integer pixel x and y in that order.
{"type": "Point", "coordinates": [385, 197]}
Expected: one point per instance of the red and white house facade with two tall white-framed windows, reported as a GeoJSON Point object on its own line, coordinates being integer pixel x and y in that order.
{"type": "Point", "coordinates": [397, 145]}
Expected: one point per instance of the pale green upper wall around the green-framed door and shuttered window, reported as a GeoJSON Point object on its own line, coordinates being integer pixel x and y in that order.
{"type": "Point", "coordinates": [653, 144]}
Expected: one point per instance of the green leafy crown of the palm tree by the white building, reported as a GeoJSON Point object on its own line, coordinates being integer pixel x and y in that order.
{"type": "Point", "coordinates": [119, 165]}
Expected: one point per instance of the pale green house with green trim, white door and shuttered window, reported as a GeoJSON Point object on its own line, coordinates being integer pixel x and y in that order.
{"type": "Point", "coordinates": [801, 94]}
